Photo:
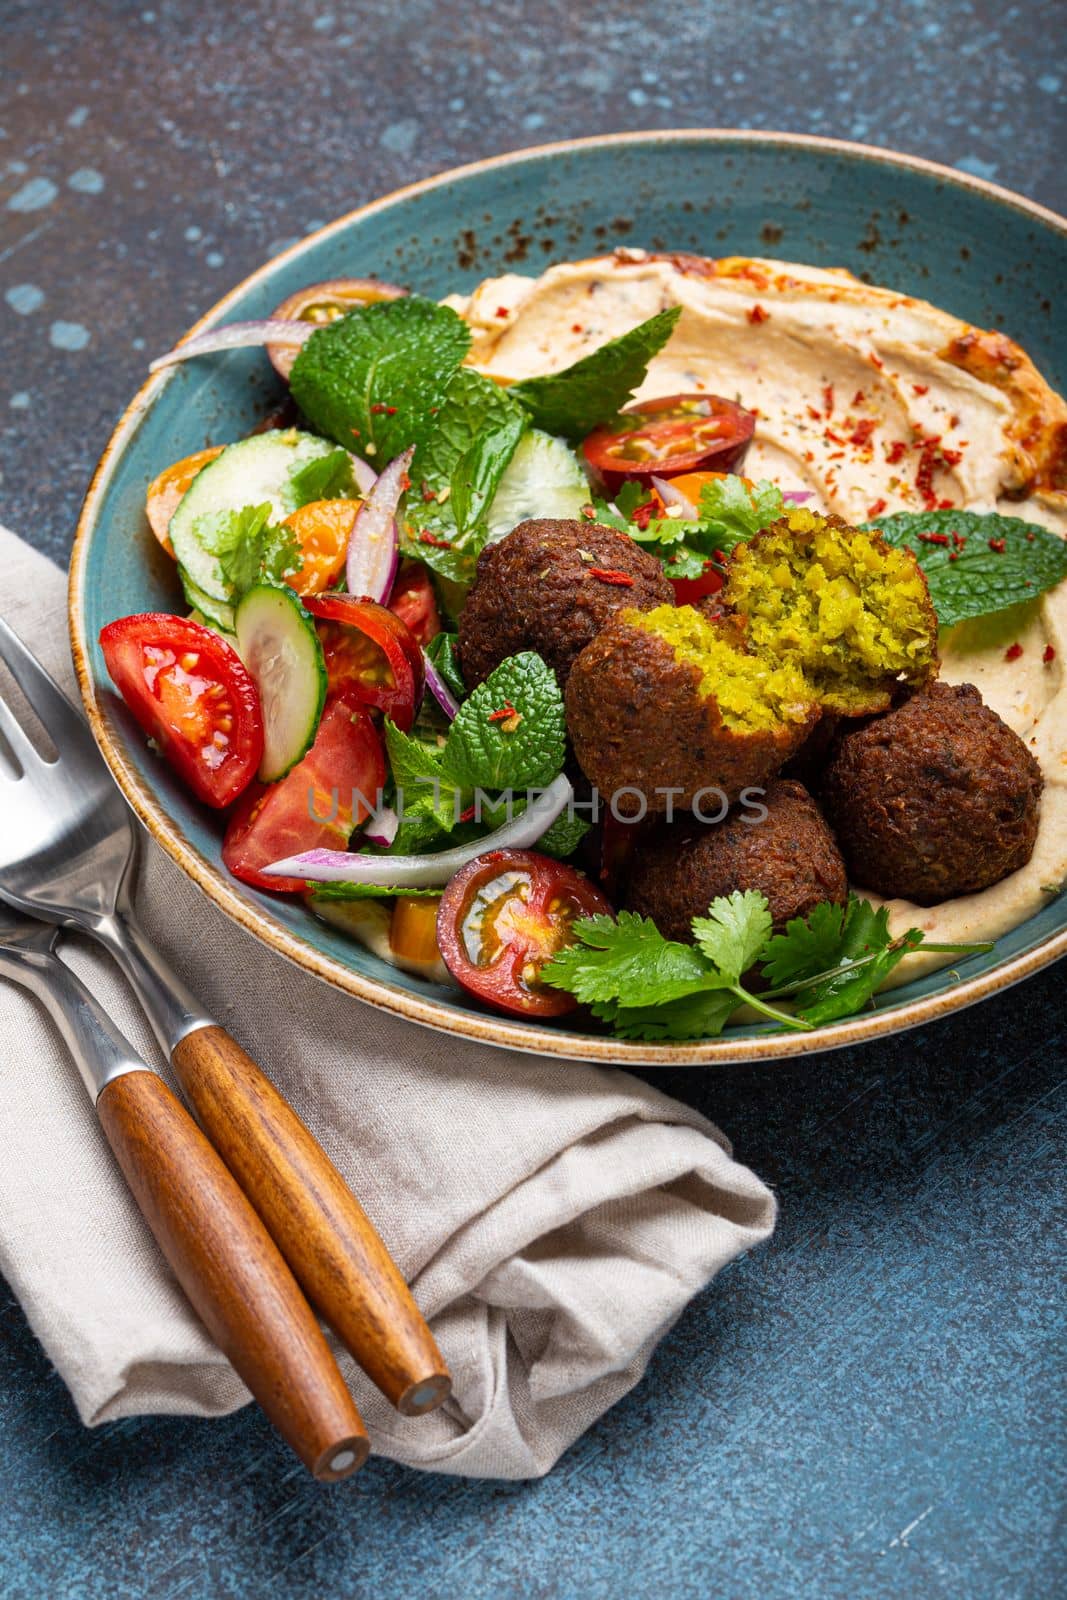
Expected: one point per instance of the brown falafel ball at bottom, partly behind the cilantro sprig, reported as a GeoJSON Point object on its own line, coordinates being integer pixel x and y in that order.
{"type": "Point", "coordinates": [789, 855]}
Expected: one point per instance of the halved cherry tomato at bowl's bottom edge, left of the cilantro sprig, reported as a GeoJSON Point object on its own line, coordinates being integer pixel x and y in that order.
{"type": "Point", "coordinates": [503, 918]}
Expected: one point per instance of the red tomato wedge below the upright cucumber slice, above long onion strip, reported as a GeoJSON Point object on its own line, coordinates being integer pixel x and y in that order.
{"type": "Point", "coordinates": [316, 806]}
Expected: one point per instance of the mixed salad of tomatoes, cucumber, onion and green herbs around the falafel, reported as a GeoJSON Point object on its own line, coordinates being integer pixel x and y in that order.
{"type": "Point", "coordinates": [314, 690]}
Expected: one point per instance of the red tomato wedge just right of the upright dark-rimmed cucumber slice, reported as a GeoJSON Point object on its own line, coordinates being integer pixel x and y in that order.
{"type": "Point", "coordinates": [372, 655]}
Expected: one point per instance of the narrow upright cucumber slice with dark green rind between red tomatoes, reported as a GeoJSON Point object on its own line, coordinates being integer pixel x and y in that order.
{"type": "Point", "coordinates": [278, 642]}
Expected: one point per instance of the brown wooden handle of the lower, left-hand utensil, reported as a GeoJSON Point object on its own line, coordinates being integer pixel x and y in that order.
{"type": "Point", "coordinates": [233, 1273]}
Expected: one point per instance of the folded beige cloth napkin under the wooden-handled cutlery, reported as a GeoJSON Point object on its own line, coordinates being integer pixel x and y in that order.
{"type": "Point", "coordinates": [553, 1218]}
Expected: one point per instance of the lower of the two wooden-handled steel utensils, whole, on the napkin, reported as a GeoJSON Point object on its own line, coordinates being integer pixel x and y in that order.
{"type": "Point", "coordinates": [217, 1246]}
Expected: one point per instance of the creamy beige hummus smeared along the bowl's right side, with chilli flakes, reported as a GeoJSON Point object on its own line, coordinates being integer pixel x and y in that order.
{"type": "Point", "coordinates": [874, 402]}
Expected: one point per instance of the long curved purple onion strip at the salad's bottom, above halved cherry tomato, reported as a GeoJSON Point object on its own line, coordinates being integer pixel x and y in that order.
{"type": "Point", "coordinates": [417, 873]}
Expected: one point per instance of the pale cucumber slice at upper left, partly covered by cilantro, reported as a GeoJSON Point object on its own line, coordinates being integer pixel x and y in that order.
{"type": "Point", "coordinates": [250, 473]}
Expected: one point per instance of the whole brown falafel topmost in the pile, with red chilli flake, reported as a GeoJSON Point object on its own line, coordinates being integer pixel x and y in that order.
{"type": "Point", "coordinates": [538, 590]}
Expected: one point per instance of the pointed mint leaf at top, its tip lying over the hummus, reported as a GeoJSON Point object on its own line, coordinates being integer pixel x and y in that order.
{"type": "Point", "coordinates": [594, 390]}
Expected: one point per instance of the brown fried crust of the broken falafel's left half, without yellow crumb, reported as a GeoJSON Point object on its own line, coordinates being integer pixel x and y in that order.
{"type": "Point", "coordinates": [639, 722]}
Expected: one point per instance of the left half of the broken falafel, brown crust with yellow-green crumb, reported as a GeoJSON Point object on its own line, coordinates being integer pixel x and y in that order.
{"type": "Point", "coordinates": [666, 705]}
